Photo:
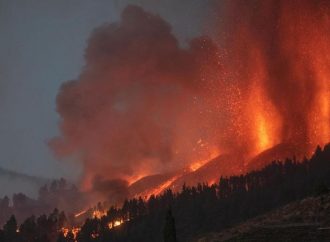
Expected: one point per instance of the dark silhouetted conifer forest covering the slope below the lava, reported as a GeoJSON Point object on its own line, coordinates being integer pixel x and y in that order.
{"type": "Point", "coordinates": [197, 210]}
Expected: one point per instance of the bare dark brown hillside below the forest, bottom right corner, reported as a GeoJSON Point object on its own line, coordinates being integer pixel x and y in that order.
{"type": "Point", "coordinates": [305, 220]}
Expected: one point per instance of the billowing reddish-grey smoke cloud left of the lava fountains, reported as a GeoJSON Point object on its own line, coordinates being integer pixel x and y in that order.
{"type": "Point", "coordinates": [136, 109]}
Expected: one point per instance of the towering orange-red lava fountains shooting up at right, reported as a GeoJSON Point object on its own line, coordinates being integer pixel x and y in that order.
{"type": "Point", "coordinates": [277, 60]}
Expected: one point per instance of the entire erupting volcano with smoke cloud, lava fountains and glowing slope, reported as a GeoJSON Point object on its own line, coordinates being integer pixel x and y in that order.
{"type": "Point", "coordinates": [148, 113]}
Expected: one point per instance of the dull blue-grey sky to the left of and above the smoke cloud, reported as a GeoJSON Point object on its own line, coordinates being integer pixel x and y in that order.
{"type": "Point", "coordinates": [42, 45]}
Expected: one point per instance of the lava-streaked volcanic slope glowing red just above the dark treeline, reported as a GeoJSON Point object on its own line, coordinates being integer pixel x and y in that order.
{"type": "Point", "coordinates": [210, 173]}
